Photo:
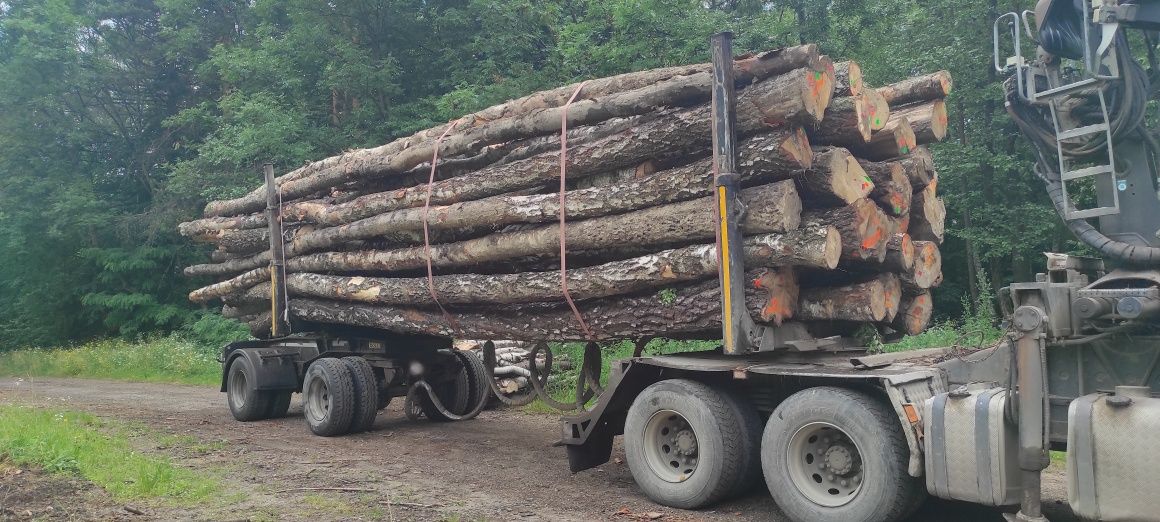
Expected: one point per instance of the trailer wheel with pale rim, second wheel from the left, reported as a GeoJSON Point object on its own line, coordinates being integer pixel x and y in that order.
{"type": "Point", "coordinates": [329, 397]}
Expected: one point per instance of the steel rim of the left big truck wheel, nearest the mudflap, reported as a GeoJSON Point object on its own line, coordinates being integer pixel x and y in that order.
{"type": "Point", "coordinates": [671, 447]}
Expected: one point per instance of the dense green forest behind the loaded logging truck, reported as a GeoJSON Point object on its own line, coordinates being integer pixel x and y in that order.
{"type": "Point", "coordinates": [120, 119]}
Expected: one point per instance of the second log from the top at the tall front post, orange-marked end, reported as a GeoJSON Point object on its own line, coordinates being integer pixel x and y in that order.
{"type": "Point", "coordinates": [782, 101]}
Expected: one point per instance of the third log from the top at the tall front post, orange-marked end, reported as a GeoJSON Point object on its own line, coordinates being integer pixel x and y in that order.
{"type": "Point", "coordinates": [774, 156]}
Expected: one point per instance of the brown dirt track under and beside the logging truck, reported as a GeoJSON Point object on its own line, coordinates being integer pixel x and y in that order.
{"type": "Point", "coordinates": [502, 466]}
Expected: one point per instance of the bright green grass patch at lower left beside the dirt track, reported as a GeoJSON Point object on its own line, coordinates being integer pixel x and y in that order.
{"type": "Point", "coordinates": [78, 444]}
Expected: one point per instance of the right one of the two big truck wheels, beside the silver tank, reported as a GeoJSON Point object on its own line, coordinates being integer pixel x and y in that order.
{"type": "Point", "coordinates": [831, 454]}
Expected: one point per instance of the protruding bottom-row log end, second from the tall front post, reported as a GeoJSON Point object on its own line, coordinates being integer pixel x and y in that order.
{"type": "Point", "coordinates": [859, 302]}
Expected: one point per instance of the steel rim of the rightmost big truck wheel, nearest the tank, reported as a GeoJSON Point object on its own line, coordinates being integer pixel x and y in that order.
{"type": "Point", "coordinates": [825, 465]}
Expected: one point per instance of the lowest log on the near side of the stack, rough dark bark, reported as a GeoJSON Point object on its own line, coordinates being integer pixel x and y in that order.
{"type": "Point", "coordinates": [691, 311]}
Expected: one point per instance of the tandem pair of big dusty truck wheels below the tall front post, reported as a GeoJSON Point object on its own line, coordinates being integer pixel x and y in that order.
{"type": "Point", "coordinates": [828, 454]}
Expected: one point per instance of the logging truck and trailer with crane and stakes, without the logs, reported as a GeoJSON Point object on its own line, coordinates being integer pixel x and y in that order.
{"type": "Point", "coordinates": [836, 433]}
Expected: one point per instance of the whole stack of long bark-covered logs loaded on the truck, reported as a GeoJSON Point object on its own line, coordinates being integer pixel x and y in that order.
{"type": "Point", "coordinates": [843, 223]}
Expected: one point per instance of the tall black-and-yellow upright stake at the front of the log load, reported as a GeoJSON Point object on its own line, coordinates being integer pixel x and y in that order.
{"type": "Point", "coordinates": [737, 325]}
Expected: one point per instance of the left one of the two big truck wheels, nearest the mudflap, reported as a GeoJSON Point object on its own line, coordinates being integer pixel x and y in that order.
{"type": "Point", "coordinates": [684, 444]}
